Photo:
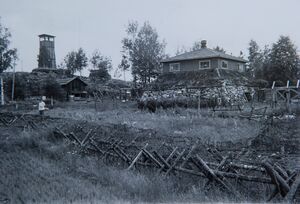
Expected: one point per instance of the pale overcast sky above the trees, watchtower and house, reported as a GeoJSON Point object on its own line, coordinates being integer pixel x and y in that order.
{"type": "Point", "coordinates": [99, 24]}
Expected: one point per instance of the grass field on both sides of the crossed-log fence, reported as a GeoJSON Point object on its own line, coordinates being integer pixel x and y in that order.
{"type": "Point", "coordinates": [36, 167]}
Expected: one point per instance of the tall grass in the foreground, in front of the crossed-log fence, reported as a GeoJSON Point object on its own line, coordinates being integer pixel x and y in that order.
{"type": "Point", "coordinates": [36, 170]}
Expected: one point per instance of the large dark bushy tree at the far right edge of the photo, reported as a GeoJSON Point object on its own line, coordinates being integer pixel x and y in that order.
{"type": "Point", "coordinates": [283, 61]}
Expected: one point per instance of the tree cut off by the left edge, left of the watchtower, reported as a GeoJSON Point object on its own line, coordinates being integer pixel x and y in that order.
{"type": "Point", "coordinates": [7, 55]}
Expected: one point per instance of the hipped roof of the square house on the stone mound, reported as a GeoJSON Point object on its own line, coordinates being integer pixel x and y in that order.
{"type": "Point", "coordinates": [203, 53]}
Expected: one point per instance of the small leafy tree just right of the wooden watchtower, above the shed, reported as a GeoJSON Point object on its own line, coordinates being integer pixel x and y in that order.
{"type": "Point", "coordinates": [76, 61]}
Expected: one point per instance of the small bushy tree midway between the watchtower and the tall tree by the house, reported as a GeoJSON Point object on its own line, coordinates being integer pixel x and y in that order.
{"type": "Point", "coordinates": [102, 65]}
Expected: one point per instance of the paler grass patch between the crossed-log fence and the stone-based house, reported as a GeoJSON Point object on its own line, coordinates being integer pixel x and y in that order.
{"type": "Point", "coordinates": [172, 122]}
